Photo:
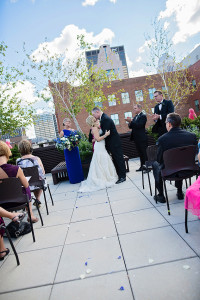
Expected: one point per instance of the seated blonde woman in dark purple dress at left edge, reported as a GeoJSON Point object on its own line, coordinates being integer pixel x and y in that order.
{"type": "Point", "coordinates": [7, 170]}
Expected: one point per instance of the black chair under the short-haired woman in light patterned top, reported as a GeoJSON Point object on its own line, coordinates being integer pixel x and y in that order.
{"type": "Point", "coordinates": [37, 182]}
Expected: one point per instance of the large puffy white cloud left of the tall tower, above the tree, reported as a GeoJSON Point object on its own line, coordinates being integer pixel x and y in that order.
{"type": "Point", "coordinates": [68, 40]}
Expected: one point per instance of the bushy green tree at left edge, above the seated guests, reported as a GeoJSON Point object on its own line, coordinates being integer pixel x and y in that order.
{"type": "Point", "coordinates": [13, 114]}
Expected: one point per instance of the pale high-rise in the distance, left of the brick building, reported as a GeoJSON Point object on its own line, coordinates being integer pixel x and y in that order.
{"type": "Point", "coordinates": [45, 126]}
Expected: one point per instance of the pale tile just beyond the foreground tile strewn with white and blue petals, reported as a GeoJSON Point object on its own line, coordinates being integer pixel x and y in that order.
{"type": "Point", "coordinates": [92, 229]}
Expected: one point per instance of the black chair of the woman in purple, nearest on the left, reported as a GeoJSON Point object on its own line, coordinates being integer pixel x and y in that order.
{"type": "Point", "coordinates": [13, 199]}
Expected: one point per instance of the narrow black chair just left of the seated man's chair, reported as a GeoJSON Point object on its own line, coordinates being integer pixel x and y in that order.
{"type": "Point", "coordinates": [152, 156]}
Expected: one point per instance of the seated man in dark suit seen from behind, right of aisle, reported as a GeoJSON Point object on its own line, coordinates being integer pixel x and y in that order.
{"type": "Point", "coordinates": [174, 138]}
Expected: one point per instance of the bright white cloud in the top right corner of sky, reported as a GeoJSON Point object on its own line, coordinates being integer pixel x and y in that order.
{"type": "Point", "coordinates": [187, 16]}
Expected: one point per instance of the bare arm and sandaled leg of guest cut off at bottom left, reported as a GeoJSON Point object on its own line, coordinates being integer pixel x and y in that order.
{"type": "Point", "coordinates": [15, 217]}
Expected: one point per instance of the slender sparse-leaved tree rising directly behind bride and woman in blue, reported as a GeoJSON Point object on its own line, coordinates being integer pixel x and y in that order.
{"type": "Point", "coordinates": [72, 84]}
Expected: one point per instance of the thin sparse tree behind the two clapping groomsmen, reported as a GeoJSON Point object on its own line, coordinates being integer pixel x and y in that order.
{"type": "Point", "coordinates": [175, 77]}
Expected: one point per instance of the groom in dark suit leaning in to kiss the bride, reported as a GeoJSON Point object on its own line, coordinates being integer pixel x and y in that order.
{"type": "Point", "coordinates": [113, 143]}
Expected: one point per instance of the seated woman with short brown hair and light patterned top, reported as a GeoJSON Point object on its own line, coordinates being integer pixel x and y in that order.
{"type": "Point", "coordinates": [29, 160]}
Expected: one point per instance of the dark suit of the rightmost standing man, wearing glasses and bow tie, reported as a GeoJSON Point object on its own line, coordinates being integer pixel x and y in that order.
{"type": "Point", "coordinates": [167, 108]}
